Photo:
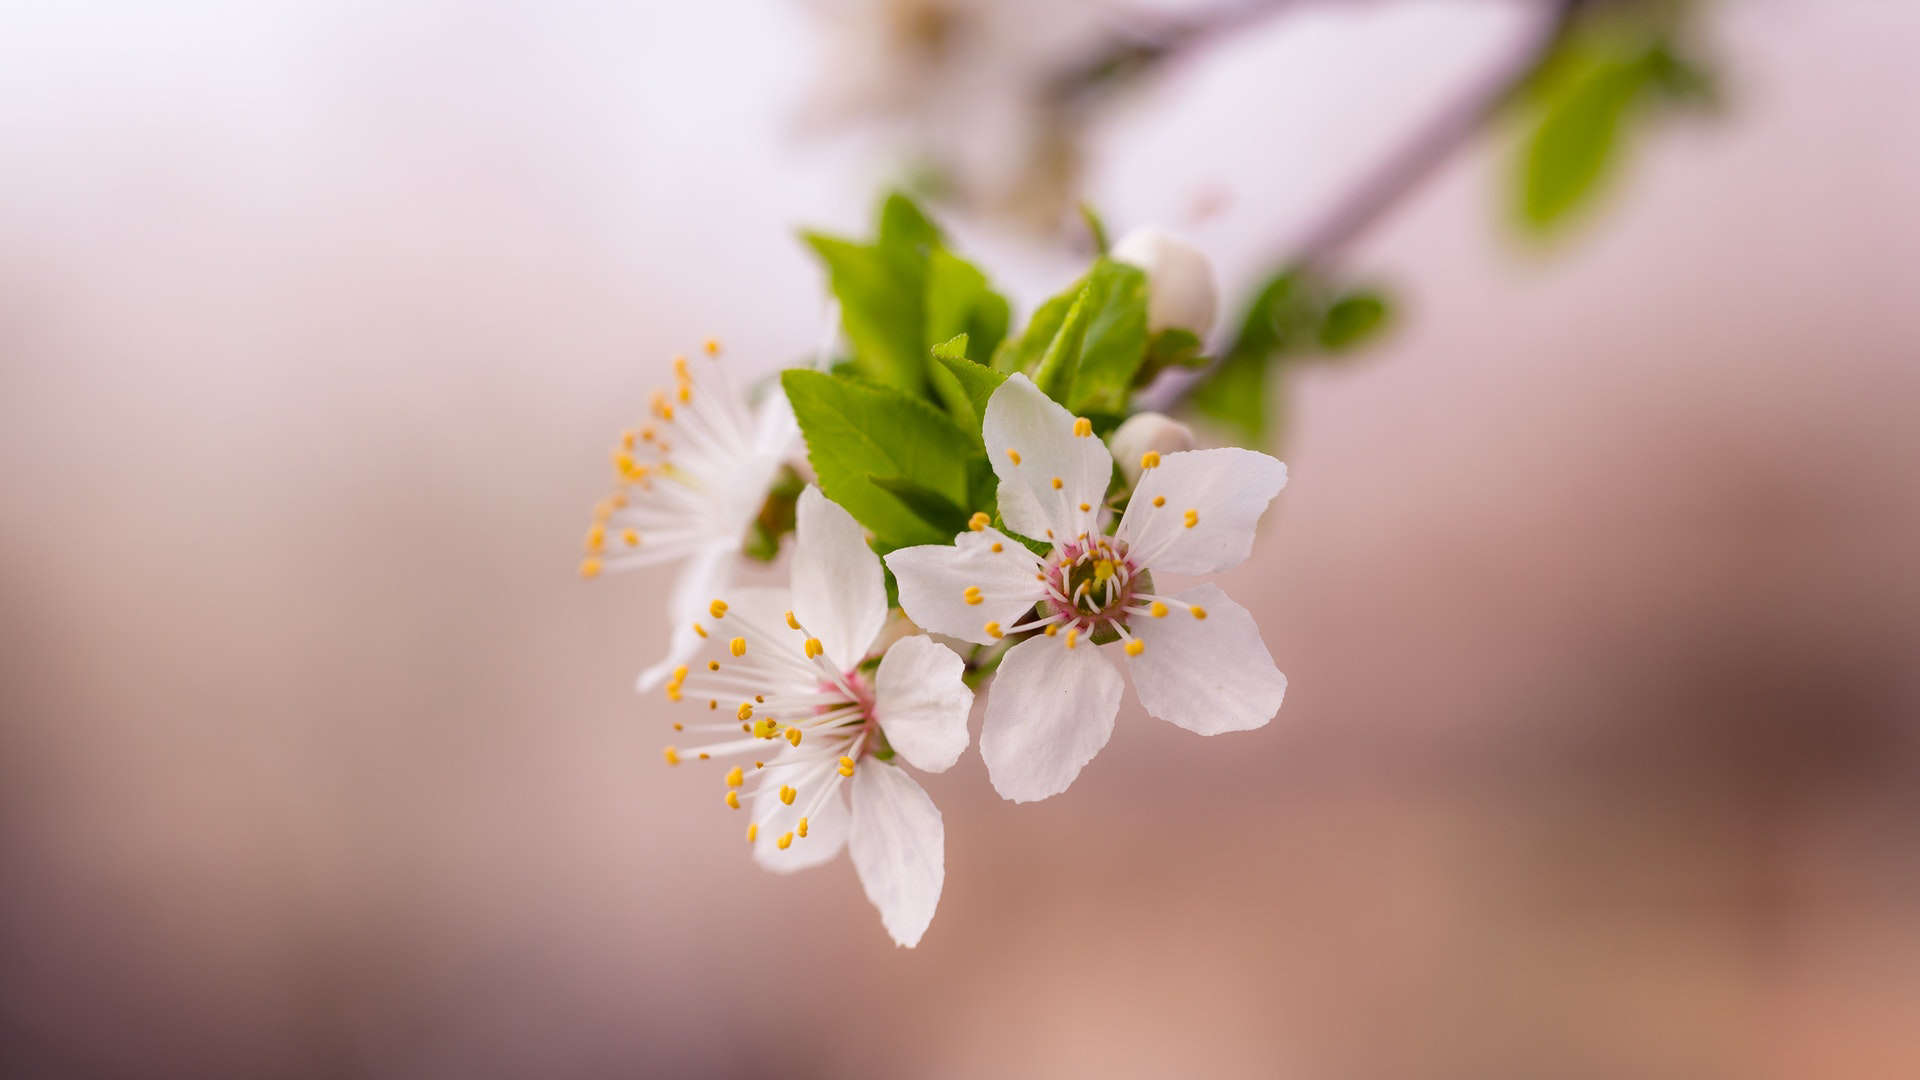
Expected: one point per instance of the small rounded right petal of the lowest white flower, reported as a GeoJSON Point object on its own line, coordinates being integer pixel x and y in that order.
{"type": "Point", "coordinates": [923, 704]}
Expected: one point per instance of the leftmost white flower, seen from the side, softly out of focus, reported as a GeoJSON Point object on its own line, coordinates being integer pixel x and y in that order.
{"type": "Point", "coordinates": [688, 485]}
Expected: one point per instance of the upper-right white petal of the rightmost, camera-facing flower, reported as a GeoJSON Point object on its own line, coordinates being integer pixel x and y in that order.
{"type": "Point", "coordinates": [1226, 491]}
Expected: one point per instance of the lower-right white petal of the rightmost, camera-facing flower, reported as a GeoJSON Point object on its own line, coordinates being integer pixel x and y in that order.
{"type": "Point", "coordinates": [1207, 675]}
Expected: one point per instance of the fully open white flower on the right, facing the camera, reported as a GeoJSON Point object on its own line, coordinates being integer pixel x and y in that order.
{"type": "Point", "coordinates": [1197, 658]}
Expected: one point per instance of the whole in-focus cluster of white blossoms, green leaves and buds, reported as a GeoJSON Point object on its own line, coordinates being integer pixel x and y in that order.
{"type": "Point", "coordinates": [982, 514]}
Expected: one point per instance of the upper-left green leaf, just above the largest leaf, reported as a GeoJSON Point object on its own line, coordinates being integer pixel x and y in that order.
{"type": "Point", "coordinates": [882, 297]}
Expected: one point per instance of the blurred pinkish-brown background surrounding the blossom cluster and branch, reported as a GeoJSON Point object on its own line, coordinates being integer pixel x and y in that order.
{"type": "Point", "coordinates": [1595, 583]}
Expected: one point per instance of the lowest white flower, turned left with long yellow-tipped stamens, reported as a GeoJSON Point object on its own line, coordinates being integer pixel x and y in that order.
{"type": "Point", "coordinates": [786, 672]}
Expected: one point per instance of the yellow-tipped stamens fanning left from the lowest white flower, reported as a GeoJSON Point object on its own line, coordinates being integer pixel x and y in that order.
{"type": "Point", "coordinates": [786, 689]}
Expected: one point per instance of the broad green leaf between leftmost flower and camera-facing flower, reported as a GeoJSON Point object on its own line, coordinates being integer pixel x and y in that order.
{"type": "Point", "coordinates": [859, 430]}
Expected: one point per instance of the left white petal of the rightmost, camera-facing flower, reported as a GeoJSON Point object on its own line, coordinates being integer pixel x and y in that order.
{"type": "Point", "coordinates": [934, 581]}
